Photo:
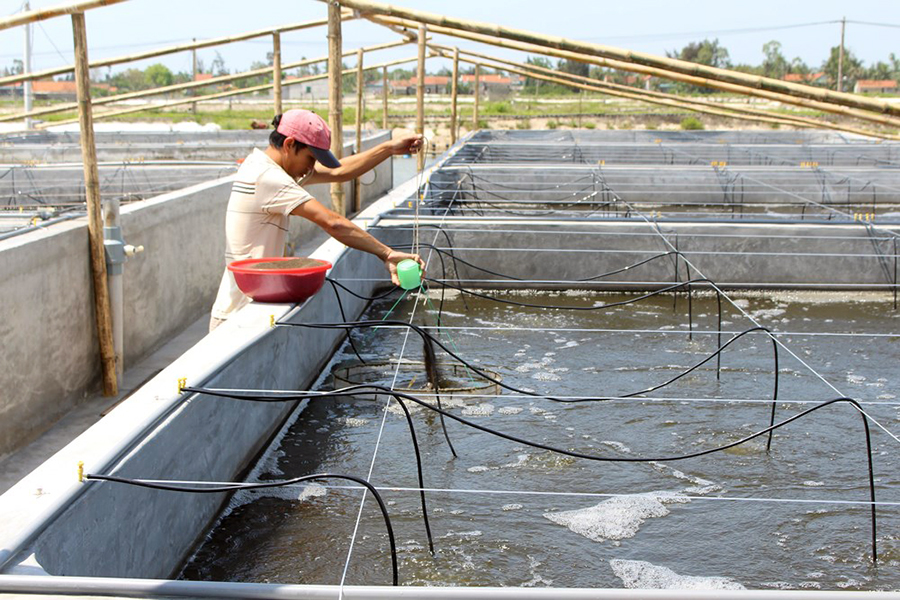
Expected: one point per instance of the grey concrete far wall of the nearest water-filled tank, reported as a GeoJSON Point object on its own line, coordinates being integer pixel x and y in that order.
{"type": "Point", "coordinates": [733, 254]}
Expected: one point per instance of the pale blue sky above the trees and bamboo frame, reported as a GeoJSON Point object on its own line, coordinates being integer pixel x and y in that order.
{"type": "Point", "coordinates": [649, 26]}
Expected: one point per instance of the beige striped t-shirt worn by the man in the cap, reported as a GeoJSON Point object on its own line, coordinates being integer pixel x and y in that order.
{"type": "Point", "coordinates": [256, 221]}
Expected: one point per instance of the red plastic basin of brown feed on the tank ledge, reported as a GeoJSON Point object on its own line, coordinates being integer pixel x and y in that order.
{"type": "Point", "coordinates": [278, 285]}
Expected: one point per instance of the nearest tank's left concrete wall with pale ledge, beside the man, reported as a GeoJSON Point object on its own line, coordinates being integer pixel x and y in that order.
{"type": "Point", "coordinates": [114, 530]}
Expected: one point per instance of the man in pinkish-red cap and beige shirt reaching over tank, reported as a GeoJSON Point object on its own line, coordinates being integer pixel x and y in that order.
{"type": "Point", "coordinates": [267, 191]}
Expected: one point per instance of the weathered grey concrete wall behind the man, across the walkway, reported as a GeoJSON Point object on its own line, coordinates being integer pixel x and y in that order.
{"type": "Point", "coordinates": [46, 306]}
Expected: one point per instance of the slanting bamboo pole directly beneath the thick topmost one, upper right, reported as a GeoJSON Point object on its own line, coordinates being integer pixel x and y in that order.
{"type": "Point", "coordinates": [661, 73]}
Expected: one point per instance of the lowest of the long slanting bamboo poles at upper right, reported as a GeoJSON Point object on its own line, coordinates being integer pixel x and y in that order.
{"type": "Point", "coordinates": [798, 120]}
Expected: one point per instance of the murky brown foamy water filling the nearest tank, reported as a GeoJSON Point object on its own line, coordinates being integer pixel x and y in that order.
{"type": "Point", "coordinates": [507, 514]}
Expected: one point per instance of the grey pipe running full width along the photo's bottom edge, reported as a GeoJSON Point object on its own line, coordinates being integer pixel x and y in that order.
{"type": "Point", "coordinates": [155, 588]}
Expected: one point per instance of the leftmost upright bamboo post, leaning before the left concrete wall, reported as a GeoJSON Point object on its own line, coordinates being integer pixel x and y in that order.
{"type": "Point", "coordinates": [95, 220]}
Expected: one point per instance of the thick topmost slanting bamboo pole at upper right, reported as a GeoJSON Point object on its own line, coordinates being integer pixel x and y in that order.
{"type": "Point", "coordinates": [750, 82]}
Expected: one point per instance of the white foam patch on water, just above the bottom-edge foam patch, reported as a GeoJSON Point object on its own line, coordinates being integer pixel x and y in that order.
{"type": "Point", "coordinates": [617, 518]}
